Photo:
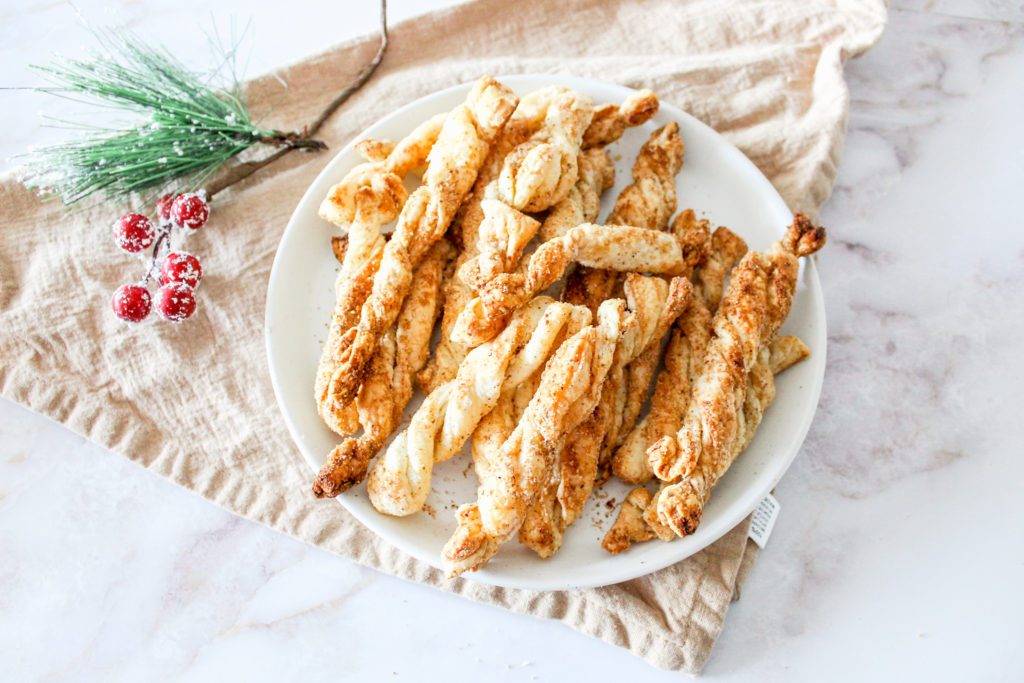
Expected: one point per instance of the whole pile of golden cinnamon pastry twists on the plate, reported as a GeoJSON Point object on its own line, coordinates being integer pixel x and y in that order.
{"type": "Point", "coordinates": [548, 394]}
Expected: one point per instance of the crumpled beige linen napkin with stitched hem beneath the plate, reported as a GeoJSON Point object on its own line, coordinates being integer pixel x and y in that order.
{"type": "Point", "coordinates": [194, 403]}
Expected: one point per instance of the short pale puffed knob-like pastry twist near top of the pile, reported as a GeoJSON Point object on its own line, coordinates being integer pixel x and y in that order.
{"type": "Point", "coordinates": [540, 173]}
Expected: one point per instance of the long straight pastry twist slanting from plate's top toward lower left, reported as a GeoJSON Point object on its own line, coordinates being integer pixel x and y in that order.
{"type": "Point", "coordinates": [460, 150]}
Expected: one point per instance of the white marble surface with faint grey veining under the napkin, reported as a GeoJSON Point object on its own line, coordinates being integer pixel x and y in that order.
{"type": "Point", "coordinates": [901, 547]}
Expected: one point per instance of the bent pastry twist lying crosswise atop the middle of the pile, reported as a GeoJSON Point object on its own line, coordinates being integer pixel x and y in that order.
{"type": "Point", "coordinates": [619, 248]}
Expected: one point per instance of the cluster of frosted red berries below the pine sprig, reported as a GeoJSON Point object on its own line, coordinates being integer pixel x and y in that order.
{"type": "Point", "coordinates": [179, 273]}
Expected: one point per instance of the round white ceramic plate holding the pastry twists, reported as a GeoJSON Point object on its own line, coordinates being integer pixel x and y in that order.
{"type": "Point", "coordinates": [719, 183]}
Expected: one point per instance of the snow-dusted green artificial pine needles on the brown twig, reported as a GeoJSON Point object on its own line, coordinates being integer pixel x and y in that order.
{"type": "Point", "coordinates": [187, 127]}
